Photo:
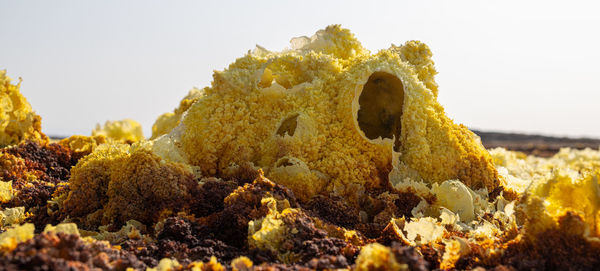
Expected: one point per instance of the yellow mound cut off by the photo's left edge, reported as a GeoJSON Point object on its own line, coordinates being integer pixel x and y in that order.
{"type": "Point", "coordinates": [18, 122]}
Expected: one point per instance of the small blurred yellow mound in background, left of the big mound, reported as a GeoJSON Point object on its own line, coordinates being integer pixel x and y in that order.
{"type": "Point", "coordinates": [126, 131]}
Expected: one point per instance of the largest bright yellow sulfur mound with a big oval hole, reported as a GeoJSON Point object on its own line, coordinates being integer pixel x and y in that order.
{"type": "Point", "coordinates": [336, 115]}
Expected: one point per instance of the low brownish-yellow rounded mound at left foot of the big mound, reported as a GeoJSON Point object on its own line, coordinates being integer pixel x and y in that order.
{"type": "Point", "coordinates": [118, 182]}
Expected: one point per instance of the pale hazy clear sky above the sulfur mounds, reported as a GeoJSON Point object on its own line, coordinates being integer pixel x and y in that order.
{"type": "Point", "coordinates": [524, 66]}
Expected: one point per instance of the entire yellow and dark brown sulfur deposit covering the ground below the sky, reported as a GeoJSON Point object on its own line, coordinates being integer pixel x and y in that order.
{"type": "Point", "coordinates": [323, 156]}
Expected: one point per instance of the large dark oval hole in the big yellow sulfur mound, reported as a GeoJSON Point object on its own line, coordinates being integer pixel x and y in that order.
{"type": "Point", "coordinates": [380, 110]}
